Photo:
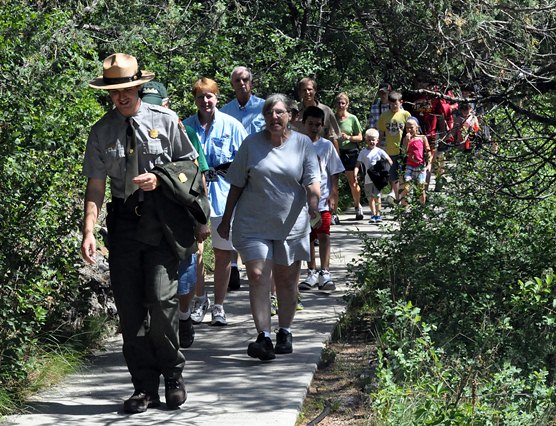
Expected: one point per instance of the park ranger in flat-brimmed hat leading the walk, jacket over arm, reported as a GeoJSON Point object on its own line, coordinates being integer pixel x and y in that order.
{"type": "Point", "coordinates": [131, 145]}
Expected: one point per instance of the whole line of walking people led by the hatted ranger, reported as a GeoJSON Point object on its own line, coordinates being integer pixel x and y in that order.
{"type": "Point", "coordinates": [259, 176]}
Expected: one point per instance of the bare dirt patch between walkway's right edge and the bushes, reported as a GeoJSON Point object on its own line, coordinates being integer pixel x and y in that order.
{"type": "Point", "coordinates": [339, 393]}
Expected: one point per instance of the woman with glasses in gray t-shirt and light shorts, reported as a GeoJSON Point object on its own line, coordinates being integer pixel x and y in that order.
{"type": "Point", "coordinates": [275, 188]}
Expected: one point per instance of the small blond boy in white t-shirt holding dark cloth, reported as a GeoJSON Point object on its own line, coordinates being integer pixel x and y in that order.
{"type": "Point", "coordinates": [369, 157]}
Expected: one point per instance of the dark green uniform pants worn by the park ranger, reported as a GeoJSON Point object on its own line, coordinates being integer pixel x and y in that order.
{"type": "Point", "coordinates": [144, 282]}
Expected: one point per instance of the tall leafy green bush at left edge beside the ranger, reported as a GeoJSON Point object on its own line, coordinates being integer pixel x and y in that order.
{"type": "Point", "coordinates": [44, 117]}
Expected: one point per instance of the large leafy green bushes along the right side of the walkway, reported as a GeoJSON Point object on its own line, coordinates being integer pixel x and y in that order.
{"type": "Point", "coordinates": [485, 353]}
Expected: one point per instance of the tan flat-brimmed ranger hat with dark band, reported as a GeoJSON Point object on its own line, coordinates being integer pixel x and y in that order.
{"type": "Point", "coordinates": [119, 72]}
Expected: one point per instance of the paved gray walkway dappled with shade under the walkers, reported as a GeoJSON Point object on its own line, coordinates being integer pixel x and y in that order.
{"type": "Point", "coordinates": [225, 386]}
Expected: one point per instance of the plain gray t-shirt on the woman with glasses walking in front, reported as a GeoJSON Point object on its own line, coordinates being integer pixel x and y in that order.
{"type": "Point", "coordinates": [273, 204]}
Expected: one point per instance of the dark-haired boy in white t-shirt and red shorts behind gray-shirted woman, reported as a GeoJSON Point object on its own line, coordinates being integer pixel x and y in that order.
{"type": "Point", "coordinates": [330, 166]}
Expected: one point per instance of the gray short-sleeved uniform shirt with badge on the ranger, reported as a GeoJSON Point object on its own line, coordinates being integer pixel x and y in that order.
{"type": "Point", "coordinates": [159, 141]}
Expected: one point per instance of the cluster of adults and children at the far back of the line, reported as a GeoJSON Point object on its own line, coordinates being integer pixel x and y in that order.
{"type": "Point", "coordinates": [409, 137]}
